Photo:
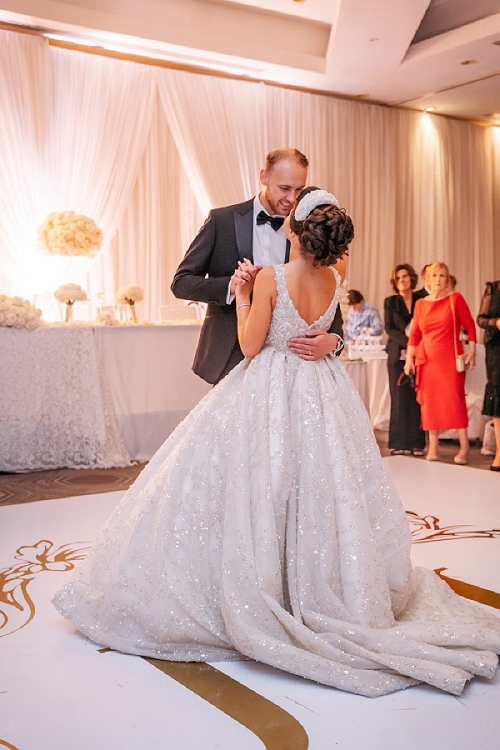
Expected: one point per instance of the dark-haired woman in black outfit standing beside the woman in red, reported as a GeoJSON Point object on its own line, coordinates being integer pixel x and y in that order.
{"type": "Point", "coordinates": [405, 434]}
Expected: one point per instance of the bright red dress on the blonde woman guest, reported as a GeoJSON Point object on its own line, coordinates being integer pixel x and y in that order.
{"type": "Point", "coordinates": [440, 388]}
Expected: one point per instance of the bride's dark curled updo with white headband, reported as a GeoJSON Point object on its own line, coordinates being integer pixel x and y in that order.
{"type": "Point", "coordinates": [326, 230]}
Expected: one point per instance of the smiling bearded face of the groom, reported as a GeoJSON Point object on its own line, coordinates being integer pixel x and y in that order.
{"type": "Point", "coordinates": [282, 184]}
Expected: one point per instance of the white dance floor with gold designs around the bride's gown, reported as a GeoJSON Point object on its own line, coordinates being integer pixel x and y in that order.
{"type": "Point", "coordinates": [58, 691]}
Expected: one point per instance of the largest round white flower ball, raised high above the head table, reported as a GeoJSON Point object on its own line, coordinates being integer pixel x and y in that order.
{"type": "Point", "coordinates": [68, 233]}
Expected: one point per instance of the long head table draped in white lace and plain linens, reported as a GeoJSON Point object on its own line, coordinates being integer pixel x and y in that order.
{"type": "Point", "coordinates": [93, 397]}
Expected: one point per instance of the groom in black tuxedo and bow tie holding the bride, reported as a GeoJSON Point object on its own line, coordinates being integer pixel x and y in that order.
{"type": "Point", "coordinates": [251, 230]}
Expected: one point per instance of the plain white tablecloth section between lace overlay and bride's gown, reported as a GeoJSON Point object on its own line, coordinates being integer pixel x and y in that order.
{"type": "Point", "coordinates": [148, 369]}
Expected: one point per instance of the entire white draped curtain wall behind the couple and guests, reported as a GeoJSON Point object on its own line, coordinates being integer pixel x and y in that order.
{"type": "Point", "coordinates": [147, 151]}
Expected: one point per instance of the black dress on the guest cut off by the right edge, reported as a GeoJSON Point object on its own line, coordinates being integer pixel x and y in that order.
{"type": "Point", "coordinates": [487, 319]}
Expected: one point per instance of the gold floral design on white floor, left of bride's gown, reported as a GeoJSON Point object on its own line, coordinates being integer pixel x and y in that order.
{"type": "Point", "coordinates": [16, 606]}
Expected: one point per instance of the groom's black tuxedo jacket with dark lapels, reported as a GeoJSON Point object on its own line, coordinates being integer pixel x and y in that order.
{"type": "Point", "coordinates": [204, 274]}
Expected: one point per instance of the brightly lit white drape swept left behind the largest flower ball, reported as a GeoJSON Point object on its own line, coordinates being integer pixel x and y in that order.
{"type": "Point", "coordinates": [83, 125]}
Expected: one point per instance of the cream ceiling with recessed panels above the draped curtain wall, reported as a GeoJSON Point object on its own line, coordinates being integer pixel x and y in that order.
{"type": "Point", "coordinates": [443, 54]}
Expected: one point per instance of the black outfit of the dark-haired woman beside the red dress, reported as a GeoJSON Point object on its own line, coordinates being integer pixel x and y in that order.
{"type": "Point", "coordinates": [405, 432]}
